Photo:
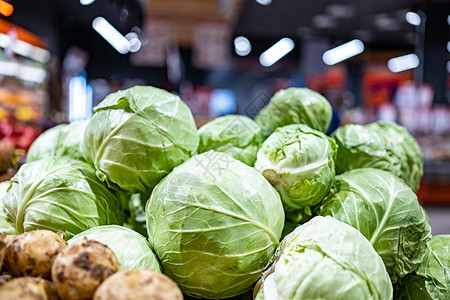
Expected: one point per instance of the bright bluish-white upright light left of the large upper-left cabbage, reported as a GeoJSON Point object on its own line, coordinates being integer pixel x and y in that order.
{"type": "Point", "coordinates": [80, 99]}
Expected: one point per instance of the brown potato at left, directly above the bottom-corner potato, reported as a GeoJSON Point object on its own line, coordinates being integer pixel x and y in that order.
{"type": "Point", "coordinates": [31, 253]}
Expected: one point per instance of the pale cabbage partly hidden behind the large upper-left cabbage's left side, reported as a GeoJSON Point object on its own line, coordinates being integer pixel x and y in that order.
{"type": "Point", "coordinates": [61, 140]}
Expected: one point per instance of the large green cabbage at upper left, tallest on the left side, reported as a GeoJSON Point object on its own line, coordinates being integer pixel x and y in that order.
{"type": "Point", "coordinates": [137, 136]}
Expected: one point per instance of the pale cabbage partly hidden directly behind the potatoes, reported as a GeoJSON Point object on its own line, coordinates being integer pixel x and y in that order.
{"type": "Point", "coordinates": [131, 248]}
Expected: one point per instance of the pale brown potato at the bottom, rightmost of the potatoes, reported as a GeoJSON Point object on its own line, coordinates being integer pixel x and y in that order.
{"type": "Point", "coordinates": [144, 284]}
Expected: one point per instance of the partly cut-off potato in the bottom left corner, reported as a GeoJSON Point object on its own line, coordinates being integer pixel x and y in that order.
{"type": "Point", "coordinates": [28, 288]}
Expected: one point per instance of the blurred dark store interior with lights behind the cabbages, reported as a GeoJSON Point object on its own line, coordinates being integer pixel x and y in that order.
{"type": "Point", "coordinates": [377, 59]}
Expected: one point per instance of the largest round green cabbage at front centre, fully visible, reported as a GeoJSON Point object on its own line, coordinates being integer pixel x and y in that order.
{"type": "Point", "coordinates": [214, 223]}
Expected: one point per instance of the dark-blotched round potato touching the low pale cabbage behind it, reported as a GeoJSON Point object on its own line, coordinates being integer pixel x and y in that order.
{"type": "Point", "coordinates": [80, 268]}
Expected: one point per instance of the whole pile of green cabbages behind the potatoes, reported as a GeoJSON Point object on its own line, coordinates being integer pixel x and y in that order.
{"type": "Point", "coordinates": [270, 208]}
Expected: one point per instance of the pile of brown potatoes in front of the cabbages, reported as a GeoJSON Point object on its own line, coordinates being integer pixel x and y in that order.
{"type": "Point", "coordinates": [40, 265]}
